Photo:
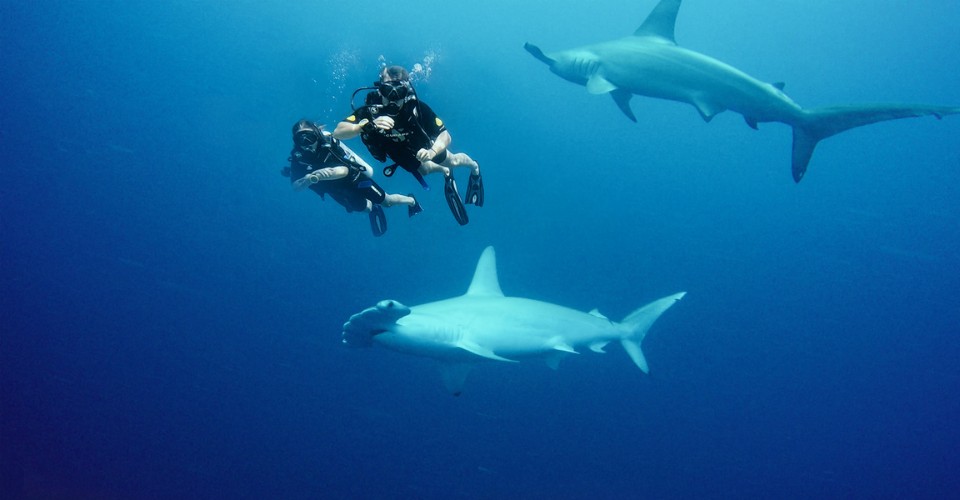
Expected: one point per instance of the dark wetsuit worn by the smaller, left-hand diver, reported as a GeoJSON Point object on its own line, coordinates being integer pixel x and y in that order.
{"type": "Point", "coordinates": [351, 191]}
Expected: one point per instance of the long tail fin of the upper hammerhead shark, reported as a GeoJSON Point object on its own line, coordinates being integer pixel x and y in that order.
{"type": "Point", "coordinates": [820, 123]}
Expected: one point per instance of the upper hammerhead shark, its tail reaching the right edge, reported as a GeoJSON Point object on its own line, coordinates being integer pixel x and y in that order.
{"type": "Point", "coordinates": [650, 63]}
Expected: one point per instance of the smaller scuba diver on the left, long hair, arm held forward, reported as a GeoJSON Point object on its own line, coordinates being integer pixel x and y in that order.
{"type": "Point", "coordinates": [329, 167]}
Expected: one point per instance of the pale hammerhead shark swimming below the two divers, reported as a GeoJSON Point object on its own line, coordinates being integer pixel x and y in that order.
{"type": "Point", "coordinates": [484, 325]}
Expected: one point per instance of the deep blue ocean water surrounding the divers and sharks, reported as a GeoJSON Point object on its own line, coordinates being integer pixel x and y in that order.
{"type": "Point", "coordinates": [171, 309]}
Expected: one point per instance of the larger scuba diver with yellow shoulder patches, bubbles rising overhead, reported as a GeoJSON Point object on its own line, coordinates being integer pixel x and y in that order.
{"type": "Point", "coordinates": [394, 122]}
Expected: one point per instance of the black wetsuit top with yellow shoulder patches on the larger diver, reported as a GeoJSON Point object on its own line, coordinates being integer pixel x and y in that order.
{"type": "Point", "coordinates": [416, 126]}
